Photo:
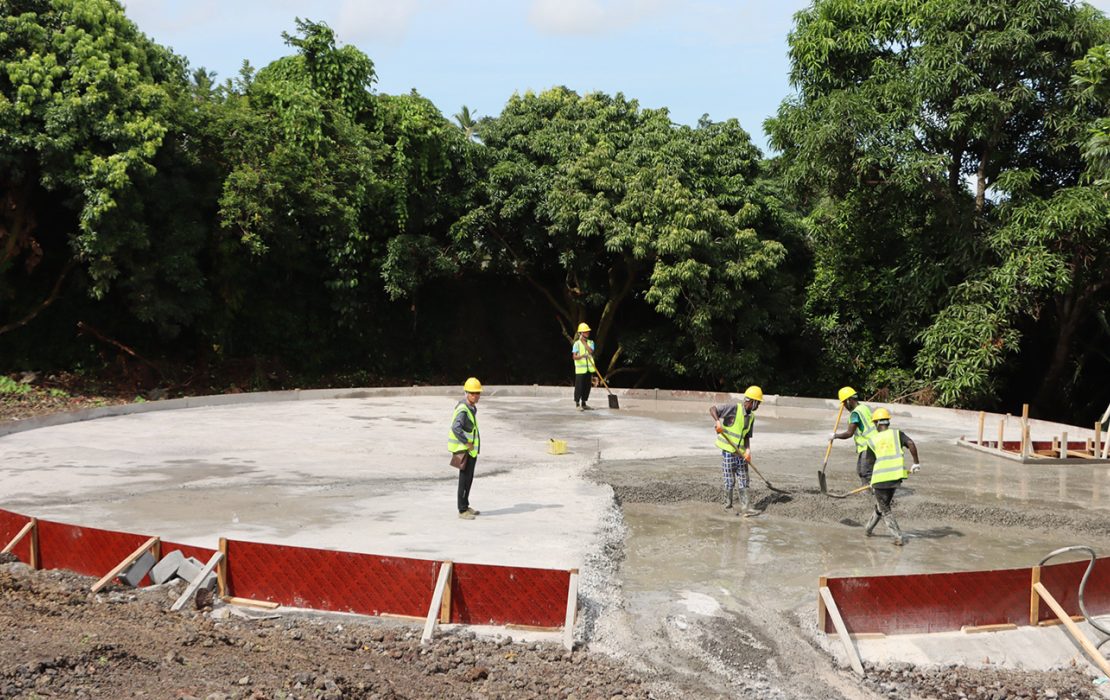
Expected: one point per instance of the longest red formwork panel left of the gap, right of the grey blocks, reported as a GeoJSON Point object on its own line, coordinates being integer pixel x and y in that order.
{"type": "Point", "coordinates": [325, 580]}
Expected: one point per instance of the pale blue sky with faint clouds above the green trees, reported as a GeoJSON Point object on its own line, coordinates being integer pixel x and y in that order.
{"type": "Point", "coordinates": [693, 57]}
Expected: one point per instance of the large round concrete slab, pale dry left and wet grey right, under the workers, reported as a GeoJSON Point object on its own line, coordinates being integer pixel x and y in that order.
{"type": "Point", "coordinates": [669, 575]}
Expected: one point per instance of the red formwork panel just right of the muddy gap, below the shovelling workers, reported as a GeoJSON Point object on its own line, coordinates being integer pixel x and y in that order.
{"type": "Point", "coordinates": [932, 603]}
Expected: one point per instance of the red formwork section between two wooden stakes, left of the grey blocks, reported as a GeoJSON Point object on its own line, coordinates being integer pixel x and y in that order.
{"type": "Point", "coordinates": [86, 551]}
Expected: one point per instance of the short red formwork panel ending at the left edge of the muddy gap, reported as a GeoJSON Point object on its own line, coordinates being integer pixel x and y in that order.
{"type": "Point", "coordinates": [499, 595]}
